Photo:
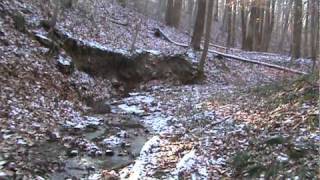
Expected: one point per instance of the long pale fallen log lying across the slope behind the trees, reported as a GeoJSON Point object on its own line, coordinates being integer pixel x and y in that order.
{"type": "Point", "coordinates": [235, 57]}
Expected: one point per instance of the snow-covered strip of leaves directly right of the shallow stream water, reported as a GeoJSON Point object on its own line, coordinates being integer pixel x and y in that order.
{"type": "Point", "coordinates": [180, 133]}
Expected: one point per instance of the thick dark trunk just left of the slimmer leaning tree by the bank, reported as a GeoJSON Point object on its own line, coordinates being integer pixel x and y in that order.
{"type": "Point", "coordinates": [199, 25]}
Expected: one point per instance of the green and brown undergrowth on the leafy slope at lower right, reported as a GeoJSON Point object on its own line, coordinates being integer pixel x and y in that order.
{"type": "Point", "coordinates": [279, 157]}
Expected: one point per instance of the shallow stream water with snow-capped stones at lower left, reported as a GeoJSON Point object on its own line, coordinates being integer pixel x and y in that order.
{"type": "Point", "coordinates": [101, 142]}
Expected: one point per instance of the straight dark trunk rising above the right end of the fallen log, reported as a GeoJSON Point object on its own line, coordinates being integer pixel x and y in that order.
{"type": "Point", "coordinates": [297, 30]}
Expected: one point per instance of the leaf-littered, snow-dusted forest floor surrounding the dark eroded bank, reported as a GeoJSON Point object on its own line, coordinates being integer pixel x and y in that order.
{"type": "Point", "coordinates": [243, 120]}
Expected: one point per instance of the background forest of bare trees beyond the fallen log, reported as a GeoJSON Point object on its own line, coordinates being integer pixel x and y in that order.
{"type": "Point", "coordinates": [284, 26]}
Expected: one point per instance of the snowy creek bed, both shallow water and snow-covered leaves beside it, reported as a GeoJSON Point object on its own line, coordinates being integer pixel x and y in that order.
{"type": "Point", "coordinates": [154, 134]}
